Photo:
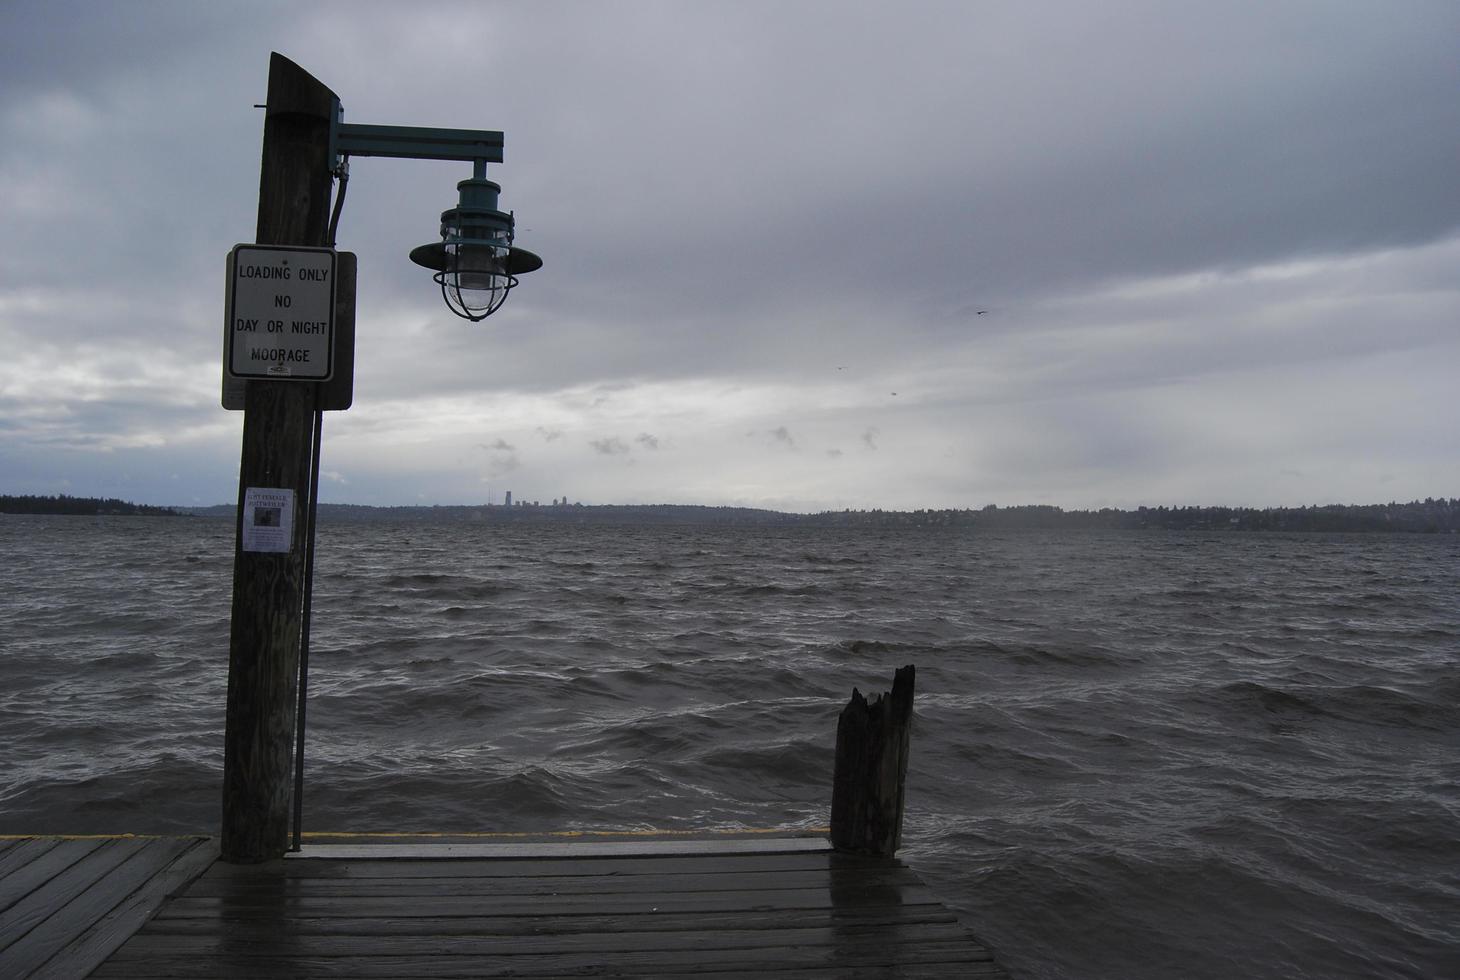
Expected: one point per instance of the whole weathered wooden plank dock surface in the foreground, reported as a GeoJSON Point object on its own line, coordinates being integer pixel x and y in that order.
{"type": "Point", "coordinates": [764, 908]}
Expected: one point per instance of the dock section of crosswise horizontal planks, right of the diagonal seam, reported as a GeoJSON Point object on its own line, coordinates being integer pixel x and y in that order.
{"type": "Point", "coordinates": [779, 914]}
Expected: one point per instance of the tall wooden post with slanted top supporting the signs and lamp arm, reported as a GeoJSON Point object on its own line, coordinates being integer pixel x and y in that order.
{"type": "Point", "coordinates": [264, 651]}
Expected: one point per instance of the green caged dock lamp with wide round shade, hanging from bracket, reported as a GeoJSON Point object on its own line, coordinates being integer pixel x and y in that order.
{"type": "Point", "coordinates": [475, 261]}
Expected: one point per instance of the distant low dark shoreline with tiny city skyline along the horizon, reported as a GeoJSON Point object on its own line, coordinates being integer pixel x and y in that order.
{"type": "Point", "coordinates": [1429, 516]}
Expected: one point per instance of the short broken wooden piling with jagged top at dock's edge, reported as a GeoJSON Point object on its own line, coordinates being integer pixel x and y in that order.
{"type": "Point", "coordinates": [872, 766]}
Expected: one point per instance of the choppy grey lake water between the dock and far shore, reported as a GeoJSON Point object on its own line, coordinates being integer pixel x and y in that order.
{"type": "Point", "coordinates": [1135, 754]}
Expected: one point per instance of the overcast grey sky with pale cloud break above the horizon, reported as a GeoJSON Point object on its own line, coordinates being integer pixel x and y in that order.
{"type": "Point", "coordinates": [798, 255]}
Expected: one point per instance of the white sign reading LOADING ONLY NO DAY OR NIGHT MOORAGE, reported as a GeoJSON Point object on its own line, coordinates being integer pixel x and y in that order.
{"type": "Point", "coordinates": [281, 313]}
